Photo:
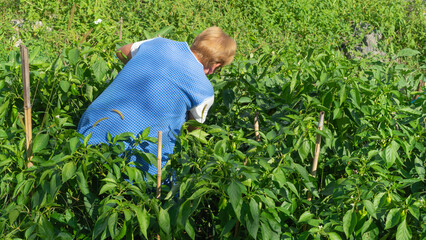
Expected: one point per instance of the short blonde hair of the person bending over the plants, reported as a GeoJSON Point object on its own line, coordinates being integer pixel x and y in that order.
{"type": "Point", "coordinates": [214, 46]}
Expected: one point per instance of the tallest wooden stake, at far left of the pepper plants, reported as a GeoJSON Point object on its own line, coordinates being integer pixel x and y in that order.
{"type": "Point", "coordinates": [27, 102]}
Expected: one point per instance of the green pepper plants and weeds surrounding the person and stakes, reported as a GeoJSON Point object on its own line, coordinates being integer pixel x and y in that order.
{"type": "Point", "coordinates": [291, 64]}
